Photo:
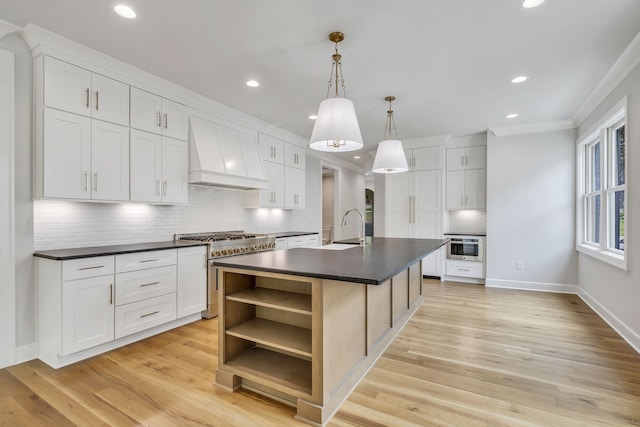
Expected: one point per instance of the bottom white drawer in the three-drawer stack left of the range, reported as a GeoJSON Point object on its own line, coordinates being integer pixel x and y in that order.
{"type": "Point", "coordinates": [137, 316]}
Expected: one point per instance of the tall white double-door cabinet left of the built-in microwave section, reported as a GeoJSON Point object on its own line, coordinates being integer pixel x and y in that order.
{"type": "Point", "coordinates": [413, 202]}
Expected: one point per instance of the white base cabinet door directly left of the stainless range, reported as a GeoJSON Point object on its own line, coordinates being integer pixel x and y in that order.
{"type": "Point", "coordinates": [192, 280]}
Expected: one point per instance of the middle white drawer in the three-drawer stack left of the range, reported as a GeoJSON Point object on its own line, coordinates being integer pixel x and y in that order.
{"type": "Point", "coordinates": [142, 284]}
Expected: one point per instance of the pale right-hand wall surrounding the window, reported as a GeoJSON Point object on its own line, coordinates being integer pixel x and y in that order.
{"type": "Point", "coordinates": [614, 293]}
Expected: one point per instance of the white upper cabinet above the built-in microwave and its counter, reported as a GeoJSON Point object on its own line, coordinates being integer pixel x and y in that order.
{"type": "Point", "coordinates": [466, 178]}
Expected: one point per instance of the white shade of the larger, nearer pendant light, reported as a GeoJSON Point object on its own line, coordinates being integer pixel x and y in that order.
{"type": "Point", "coordinates": [336, 128]}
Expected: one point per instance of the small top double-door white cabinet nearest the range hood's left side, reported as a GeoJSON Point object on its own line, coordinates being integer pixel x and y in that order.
{"type": "Point", "coordinates": [152, 113]}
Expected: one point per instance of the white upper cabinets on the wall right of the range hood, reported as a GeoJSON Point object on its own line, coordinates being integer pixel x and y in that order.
{"type": "Point", "coordinates": [284, 164]}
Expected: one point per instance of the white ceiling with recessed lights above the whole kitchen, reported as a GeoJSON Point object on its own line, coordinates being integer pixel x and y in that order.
{"type": "Point", "coordinates": [448, 62]}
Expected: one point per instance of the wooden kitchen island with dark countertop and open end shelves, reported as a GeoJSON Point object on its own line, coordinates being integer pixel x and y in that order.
{"type": "Point", "coordinates": [304, 325]}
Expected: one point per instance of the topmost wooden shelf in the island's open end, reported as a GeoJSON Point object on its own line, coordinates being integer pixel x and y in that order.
{"type": "Point", "coordinates": [282, 300]}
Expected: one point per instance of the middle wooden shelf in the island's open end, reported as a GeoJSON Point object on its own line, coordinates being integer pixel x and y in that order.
{"type": "Point", "coordinates": [274, 334]}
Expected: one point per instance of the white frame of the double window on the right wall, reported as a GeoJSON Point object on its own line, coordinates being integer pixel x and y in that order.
{"type": "Point", "coordinates": [604, 132]}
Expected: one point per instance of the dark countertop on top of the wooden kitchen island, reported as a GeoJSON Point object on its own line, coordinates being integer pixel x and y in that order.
{"type": "Point", "coordinates": [372, 265]}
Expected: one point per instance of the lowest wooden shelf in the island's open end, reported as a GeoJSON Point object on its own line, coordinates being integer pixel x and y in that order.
{"type": "Point", "coordinates": [275, 367]}
